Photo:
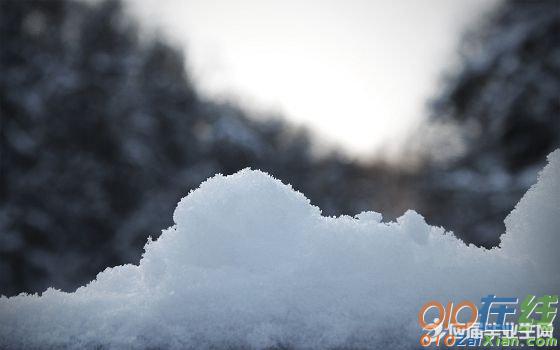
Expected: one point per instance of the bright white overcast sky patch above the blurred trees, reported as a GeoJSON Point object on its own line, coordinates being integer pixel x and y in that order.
{"type": "Point", "coordinates": [356, 72]}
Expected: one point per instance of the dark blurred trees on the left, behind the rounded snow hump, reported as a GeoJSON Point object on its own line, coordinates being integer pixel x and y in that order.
{"type": "Point", "coordinates": [102, 133]}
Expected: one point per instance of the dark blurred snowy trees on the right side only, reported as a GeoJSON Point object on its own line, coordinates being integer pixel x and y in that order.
{"type": "Point", "coordinates": [505, 102]}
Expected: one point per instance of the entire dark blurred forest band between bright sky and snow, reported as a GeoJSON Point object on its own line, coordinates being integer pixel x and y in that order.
{"type": "Point", "coordinates": [103, 132]}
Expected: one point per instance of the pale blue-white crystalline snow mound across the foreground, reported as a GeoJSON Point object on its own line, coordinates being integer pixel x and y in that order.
{"type": "Point", "coordinates": [251, 263]}
